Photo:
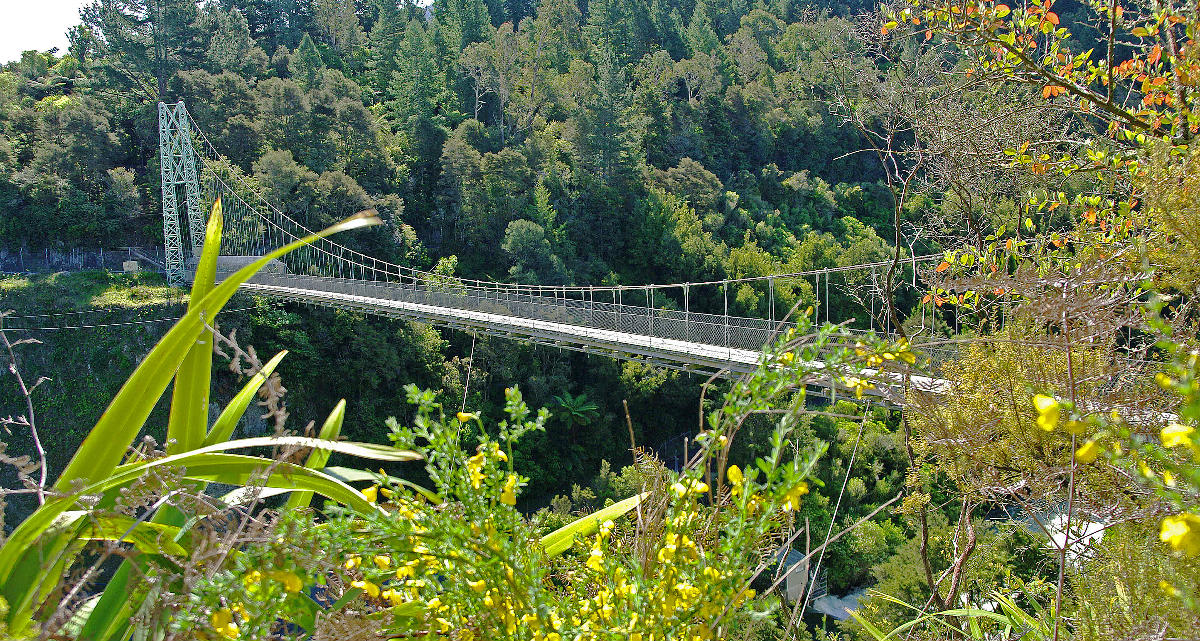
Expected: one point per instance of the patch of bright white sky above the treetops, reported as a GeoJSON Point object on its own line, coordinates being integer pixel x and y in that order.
{"type": "Point", "coordinates": [35, 25]}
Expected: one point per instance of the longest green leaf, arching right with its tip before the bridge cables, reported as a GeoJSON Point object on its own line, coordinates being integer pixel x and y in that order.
{"type": "Point", "coordinates": [121, 423]}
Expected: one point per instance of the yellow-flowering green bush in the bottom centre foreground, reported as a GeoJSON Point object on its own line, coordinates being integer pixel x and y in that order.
{"type": "Point", "coordinates": [460, 561]}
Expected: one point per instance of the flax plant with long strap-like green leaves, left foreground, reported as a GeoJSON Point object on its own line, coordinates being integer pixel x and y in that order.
{"type": "Point", "coordinates": [34, 558]}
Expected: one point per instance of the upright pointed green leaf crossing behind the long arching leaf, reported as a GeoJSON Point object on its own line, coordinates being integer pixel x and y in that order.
{"type": "Point", "coordinates": [189, 417]}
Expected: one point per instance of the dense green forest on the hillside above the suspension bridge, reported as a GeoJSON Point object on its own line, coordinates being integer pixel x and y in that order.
{"type": "Point", "coordinates": [628, 142]}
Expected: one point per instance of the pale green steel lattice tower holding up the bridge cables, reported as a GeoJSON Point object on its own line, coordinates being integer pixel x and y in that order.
{"type": "Point", "coordinates": [179, 167]}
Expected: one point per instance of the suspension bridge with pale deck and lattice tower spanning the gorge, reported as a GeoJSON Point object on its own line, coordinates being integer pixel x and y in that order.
{"type": "Point", "coordinates": [680, 326]}
